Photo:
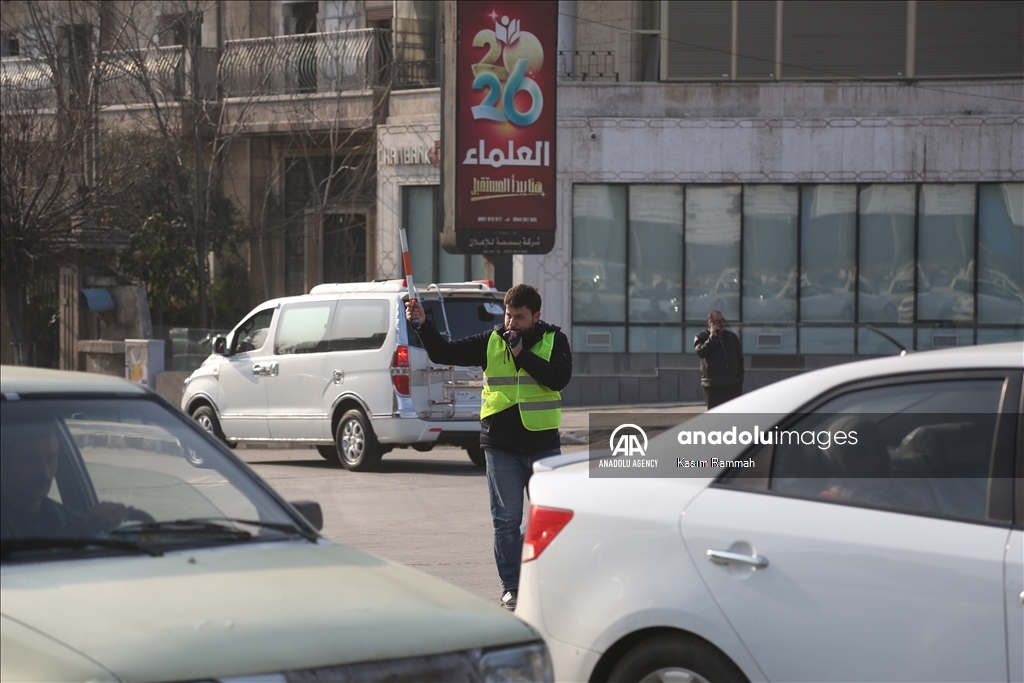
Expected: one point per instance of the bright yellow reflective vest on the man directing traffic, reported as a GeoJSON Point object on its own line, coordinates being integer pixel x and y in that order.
{"type": "Point", "coordinates": [504, 387]}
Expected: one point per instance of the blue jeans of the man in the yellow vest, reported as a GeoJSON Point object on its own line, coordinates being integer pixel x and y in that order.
{"type": "Point", "coordinates": [507, 479]}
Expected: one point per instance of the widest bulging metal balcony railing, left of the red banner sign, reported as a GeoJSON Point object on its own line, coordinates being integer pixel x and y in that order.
{"type": "Point", "coordinates": [334, 62]}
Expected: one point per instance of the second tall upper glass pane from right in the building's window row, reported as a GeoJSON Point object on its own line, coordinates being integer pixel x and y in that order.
{"type": "Point", "coordinates": [946, 252]}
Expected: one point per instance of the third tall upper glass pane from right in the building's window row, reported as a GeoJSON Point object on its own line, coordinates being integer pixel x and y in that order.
{"type": "Point", "coordinates": [886, 253]}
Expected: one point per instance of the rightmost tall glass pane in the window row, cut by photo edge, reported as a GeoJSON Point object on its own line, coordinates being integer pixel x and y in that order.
{"type": "Point", "coordinates": [1001, 253]}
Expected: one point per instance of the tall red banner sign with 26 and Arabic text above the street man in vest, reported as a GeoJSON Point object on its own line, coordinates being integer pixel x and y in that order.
{"type": "Point", "coordinates": [505, 126]}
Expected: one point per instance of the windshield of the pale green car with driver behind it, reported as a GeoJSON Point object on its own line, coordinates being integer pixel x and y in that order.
{"type": "Point", "coordinates": [89, 476]}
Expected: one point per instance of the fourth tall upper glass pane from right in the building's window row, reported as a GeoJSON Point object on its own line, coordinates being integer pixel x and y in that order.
{"type": "Point", "coordinates": [830, 222]}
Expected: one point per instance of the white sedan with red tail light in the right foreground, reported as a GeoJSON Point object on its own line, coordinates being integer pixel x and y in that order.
{"type": "Point", "coordinates": [899, 560]}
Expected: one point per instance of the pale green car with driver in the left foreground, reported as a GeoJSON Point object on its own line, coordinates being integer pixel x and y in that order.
{"type": "Point", "coordinates": [137, 548]}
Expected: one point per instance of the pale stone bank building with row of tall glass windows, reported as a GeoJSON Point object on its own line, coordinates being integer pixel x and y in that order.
{"type": "Point", "coordinates": [808, 189]}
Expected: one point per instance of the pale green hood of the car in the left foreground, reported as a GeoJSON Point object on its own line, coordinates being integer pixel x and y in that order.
{"type": "Point", "coordinates": [234, 612]}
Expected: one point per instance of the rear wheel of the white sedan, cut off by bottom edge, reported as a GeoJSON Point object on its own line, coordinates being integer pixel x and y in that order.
{"type": "Point", "coordinates": [668, 658]}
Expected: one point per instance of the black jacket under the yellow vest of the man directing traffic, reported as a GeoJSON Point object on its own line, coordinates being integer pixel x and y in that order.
{"type": "Point", "coordinates": [504, 431]}
